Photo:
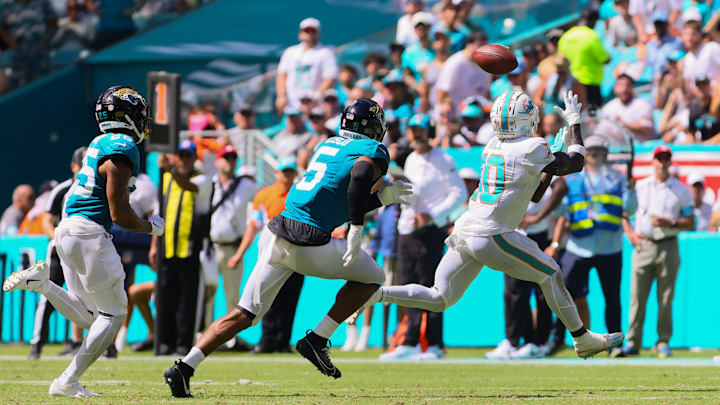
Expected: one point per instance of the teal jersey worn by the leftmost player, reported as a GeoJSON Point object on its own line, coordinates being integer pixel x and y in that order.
{"type": "Point", "coordinates": [87, 197]}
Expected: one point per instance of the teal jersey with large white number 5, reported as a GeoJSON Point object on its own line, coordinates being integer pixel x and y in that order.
{"type": "Point", "coordinates": [320, 198]}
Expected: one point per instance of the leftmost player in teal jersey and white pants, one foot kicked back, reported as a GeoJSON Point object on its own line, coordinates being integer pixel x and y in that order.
{"type": "Point", "coordinates": [95, 298]}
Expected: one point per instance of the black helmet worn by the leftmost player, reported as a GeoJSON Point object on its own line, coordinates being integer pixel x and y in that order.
{"type": "Point", "coordinates": [123, 109]}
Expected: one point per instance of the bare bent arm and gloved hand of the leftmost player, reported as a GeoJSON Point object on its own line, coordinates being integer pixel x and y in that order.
{"type": "Point", "coordinates": [117, 173]}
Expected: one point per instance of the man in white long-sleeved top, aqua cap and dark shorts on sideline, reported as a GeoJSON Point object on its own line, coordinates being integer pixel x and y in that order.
{"type": "Point", "coordinates": [438, 191]}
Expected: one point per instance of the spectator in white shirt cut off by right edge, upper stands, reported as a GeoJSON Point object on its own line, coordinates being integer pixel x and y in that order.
{"type": "Point", "coordinates": [702, 58]}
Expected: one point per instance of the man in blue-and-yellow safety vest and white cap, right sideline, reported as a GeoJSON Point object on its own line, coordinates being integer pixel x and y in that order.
{"type": "Point", "coordinates": [596, 201]}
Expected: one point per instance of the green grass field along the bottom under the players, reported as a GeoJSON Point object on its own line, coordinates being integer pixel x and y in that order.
{"type": "Point", "coordinates": [464, 377]}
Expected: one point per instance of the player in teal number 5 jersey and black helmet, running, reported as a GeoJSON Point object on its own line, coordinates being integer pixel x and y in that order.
{"type": "Point", "coordinates": [336, 188]}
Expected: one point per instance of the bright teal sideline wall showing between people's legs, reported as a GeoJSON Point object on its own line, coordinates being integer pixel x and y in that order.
{"type": "Point", "coordinates": [477, 320]}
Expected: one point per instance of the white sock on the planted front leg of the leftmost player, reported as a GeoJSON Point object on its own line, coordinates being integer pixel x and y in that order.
{"type": "Point", "coordinates": [101, 334]}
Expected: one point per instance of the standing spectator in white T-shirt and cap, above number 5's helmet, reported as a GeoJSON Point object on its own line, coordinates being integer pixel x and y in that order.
{"type": "Point", "coordinates": [305, 66]}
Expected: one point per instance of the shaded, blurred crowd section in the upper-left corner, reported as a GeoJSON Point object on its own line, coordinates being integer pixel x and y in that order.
{"type": "Point", "coordinates": [38, 36]}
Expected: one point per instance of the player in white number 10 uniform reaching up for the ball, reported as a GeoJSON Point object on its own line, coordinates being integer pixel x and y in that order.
{"type": "Point", "coordinates": [516, 168]}
